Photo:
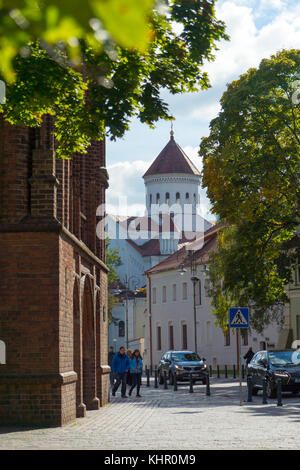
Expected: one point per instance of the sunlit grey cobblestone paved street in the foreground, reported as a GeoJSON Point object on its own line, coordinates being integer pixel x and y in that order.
{"type": "Point", "coordinates": [164, 419]}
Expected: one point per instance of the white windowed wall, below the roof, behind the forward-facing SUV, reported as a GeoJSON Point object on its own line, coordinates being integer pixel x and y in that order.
{"type": "Point", "coordinates": [210, 339]}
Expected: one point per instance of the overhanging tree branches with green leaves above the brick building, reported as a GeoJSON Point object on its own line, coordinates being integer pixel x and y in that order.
{"type": "Point", "coordinates": [100, 88]}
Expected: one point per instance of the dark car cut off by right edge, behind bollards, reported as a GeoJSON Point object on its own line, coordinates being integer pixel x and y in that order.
{"type": "Point", "coordinates": [274, 365]}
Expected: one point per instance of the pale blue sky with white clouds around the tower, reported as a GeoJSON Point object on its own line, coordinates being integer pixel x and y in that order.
{"type": "Point", "coordinates": [257, 29]}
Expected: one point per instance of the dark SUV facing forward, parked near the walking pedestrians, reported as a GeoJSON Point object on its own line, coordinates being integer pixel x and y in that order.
{"type": "Point", "coordinates": [184, 363]}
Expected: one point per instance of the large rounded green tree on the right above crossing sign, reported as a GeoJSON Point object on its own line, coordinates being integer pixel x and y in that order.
{"type": "Point", "coordinates": [251, 172]}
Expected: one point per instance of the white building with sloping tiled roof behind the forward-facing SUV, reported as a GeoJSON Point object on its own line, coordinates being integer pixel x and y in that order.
{"type": "Point", "coordinates": [170, 318]}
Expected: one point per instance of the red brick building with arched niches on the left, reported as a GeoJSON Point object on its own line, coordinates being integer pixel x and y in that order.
{"type": "Point", "coordinates": [53, 279]}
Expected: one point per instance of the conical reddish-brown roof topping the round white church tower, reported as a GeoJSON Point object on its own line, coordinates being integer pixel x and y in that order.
{"type": "Point", "coordinates": [172, 159]}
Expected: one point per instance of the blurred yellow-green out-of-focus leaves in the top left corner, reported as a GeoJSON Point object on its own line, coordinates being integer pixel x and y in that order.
{"type": "Point", "coordinates": [128, 22]}
